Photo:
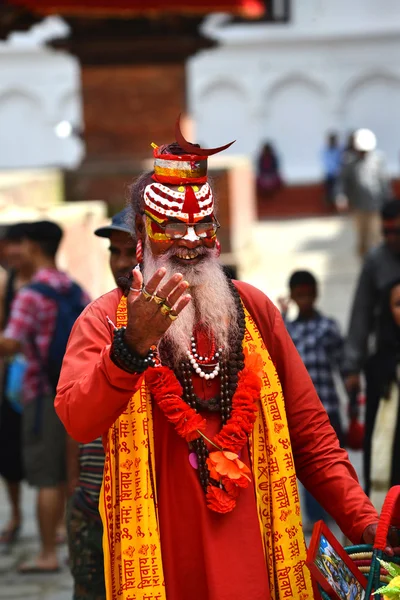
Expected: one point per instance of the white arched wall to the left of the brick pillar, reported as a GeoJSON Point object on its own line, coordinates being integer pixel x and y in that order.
{"type": "Point", "coordinates": [39, 89]}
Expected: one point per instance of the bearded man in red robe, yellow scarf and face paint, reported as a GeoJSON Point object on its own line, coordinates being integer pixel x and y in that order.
{"type": "Point", "coordinates": [205, 409]}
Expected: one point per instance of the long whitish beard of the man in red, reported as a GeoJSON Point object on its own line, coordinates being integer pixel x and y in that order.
{"type": "Point", "coordinates": [212, 304]}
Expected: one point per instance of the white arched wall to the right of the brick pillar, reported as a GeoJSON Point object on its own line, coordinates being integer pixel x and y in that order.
{"type": "Point", "coordinates": [332, 68]}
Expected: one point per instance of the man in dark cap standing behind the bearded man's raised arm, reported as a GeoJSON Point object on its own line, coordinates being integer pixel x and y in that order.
{"type": "Point", "coordinates": [85, 462]}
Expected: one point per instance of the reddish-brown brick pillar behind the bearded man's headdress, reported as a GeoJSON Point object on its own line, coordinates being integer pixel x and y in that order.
{"type": "Point", "coordinates": [128, 107]}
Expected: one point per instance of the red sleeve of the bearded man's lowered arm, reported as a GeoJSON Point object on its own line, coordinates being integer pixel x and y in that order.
{"type": "Point", "coordinates": [321, 464]}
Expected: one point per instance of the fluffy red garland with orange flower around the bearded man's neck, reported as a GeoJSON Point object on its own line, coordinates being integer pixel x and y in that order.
{"type": "Point", "coordinates": [167, 392]}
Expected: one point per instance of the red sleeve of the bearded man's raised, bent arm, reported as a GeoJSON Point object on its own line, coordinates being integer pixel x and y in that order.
{"type": "Point", "coordinates": [92, 391]}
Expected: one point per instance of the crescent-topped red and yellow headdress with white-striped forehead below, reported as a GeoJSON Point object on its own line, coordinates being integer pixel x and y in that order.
{"type": "Point", "coordinates": [193, 200]}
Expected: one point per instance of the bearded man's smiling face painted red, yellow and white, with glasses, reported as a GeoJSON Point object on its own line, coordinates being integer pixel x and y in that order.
{"type": "Point", "coordinates": [180, 217]}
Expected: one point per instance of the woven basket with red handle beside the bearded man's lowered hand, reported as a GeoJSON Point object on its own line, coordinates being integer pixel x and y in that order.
{"type": "Point", "coordinates": [366, 557]}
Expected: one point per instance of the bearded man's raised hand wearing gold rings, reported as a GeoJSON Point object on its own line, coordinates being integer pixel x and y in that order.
{"type": "Point", "coordinates": [152, 309]}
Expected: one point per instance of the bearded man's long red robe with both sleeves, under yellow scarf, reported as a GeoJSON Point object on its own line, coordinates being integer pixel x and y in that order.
{"type": "Point", "coordinates": [207, 556]}
